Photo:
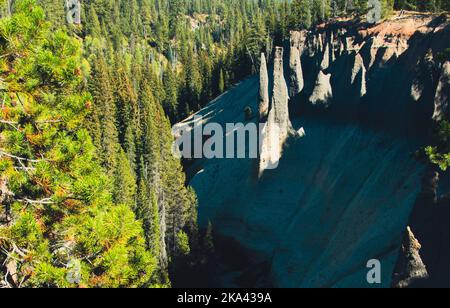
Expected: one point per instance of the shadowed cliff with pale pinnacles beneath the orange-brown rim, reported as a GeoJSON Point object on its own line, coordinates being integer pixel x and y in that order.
{"type": "Point", "coordinates": [394, 57]}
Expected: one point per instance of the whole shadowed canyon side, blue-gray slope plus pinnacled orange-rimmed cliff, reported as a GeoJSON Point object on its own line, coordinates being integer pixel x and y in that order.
{"type": "Point", "coordinates": [343, 194]}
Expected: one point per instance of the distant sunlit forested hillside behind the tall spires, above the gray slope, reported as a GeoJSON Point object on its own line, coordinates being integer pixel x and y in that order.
{"type": "Point", "coordinates": [194, 50]}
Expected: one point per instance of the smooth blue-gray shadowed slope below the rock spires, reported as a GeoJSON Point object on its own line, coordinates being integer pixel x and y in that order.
{"type": "Point", "coordinates": [340, 197]}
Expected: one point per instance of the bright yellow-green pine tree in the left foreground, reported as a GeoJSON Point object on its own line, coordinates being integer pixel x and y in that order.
{"type": "Point", "coordinates": [63, 229]}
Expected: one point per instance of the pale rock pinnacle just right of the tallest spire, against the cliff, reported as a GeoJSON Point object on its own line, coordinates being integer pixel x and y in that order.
{"type": "Point", "coordinates": [296, 71]}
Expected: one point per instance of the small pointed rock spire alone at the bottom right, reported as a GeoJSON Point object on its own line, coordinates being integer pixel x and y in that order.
{"type": "Point", "coordinates": [410, 268]}
